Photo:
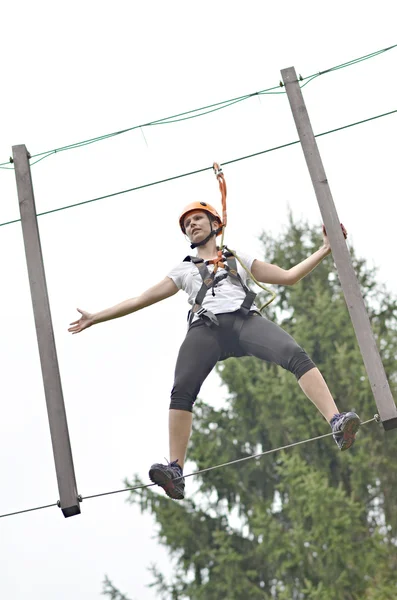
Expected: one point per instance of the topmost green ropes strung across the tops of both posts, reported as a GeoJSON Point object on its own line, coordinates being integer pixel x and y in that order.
{"type": "Point", "coordinates": [190, 114]}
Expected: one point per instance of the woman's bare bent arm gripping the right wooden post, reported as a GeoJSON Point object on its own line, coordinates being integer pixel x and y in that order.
{"type": "Point", "coordinates": [267, 273]}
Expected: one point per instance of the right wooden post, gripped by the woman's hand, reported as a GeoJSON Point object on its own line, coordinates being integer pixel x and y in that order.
{"type": "Point", "coordinates": [350, 286]}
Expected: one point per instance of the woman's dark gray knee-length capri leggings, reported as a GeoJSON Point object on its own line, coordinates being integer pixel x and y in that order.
{"type": "Point", "coordinates": [236, 335]}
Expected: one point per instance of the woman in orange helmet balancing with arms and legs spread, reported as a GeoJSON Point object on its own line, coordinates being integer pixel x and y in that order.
{"type": "Point", "coordinates": [224, 322]}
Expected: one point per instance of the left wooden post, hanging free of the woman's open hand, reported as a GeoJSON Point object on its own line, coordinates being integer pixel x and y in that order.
{"type": "Point", "coordinates": [69, 500]}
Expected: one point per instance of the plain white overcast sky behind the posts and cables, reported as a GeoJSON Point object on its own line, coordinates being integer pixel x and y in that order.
{"type": "Point", "coordinates": [86, 69]}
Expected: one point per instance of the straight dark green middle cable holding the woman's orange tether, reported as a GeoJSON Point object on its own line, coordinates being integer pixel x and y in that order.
{"type": "Point", "coordinates": [228, 162]}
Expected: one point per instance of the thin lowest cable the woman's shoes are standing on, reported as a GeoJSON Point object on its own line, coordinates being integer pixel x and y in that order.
{"type": "Point", "coordinates": [232, 462]}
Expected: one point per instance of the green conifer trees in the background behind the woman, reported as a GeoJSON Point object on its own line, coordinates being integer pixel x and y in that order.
{"type": "Point", "coordinates": [311, 522]}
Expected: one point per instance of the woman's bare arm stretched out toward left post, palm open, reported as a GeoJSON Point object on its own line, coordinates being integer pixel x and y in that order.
{"type": "Point", "coordinates": [162, 290]}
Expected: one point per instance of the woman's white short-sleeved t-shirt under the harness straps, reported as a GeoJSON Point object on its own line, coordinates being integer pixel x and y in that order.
{"type": "Point", "coordinates": [228, 296]}
